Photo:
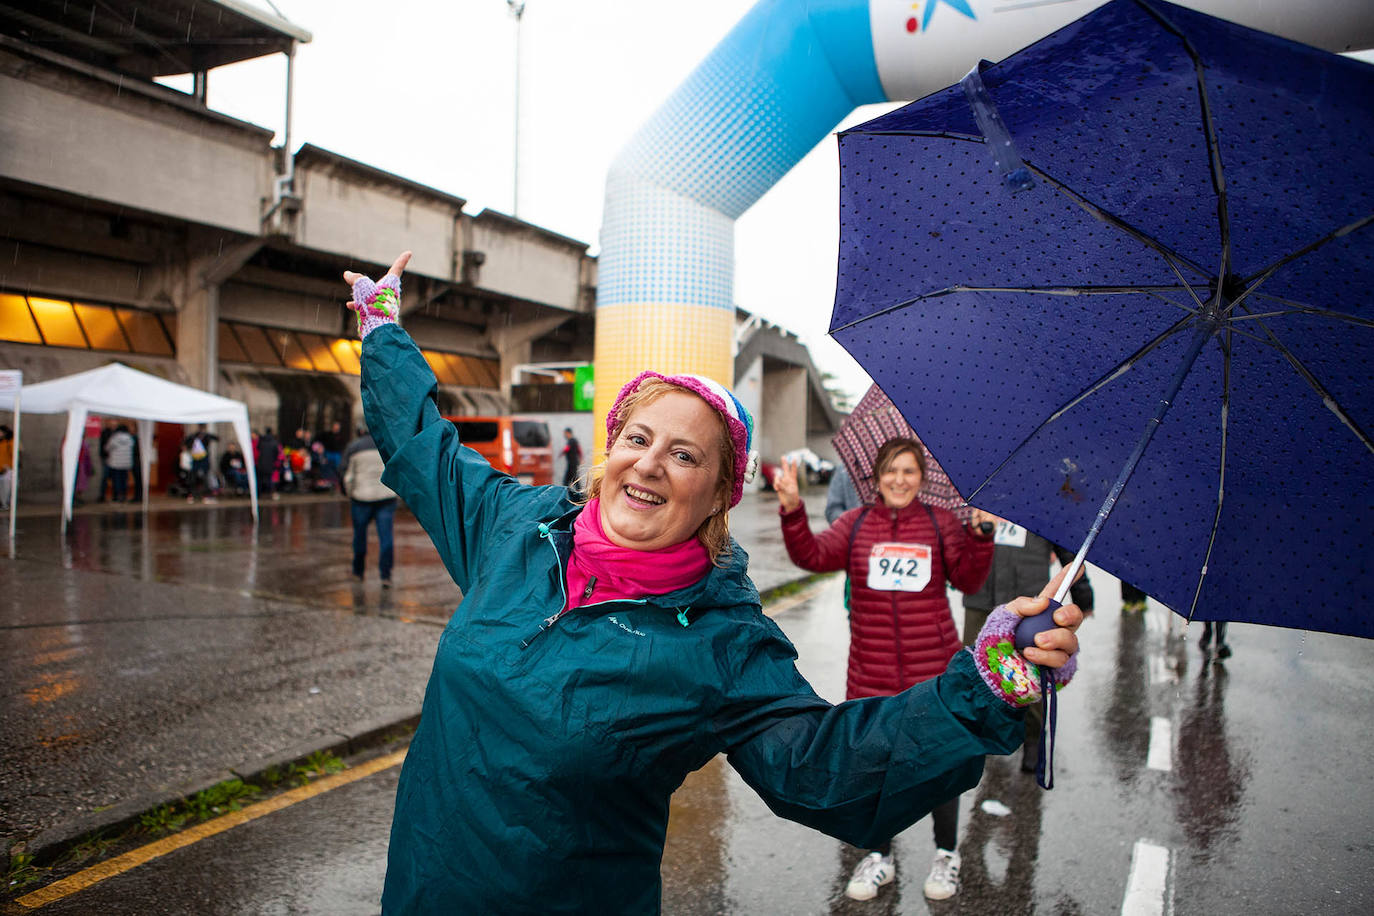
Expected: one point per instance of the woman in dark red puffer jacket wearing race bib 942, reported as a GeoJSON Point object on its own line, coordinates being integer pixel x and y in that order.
{"type": "Point", "coordinates": [899, 556]}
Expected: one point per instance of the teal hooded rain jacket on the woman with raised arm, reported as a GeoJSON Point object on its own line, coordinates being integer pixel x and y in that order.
{"type": "Point", "coordinates": [549, 745]}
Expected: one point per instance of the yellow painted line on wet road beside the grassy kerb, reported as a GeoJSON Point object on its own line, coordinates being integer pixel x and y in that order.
{"type": "Point", "coordinates": [120, 865]}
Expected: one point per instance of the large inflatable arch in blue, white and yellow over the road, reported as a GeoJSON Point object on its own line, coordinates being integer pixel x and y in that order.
{"type": "Point", "coordinates": [784, 78]}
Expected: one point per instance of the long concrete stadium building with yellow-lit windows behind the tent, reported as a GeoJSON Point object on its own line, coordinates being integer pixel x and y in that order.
{"type": "Point", "coordinates": [142, 226]}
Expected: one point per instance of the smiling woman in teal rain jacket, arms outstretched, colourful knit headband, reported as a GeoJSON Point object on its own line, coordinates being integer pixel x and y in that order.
{"type": "Point", "coordinates": [611, 645]}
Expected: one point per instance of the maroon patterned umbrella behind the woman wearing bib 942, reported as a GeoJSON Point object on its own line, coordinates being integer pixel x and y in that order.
{"type": "Point", "coordinates": [873, 422]}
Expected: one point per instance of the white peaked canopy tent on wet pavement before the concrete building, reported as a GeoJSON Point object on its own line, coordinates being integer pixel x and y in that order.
{"type": "Point", "coordinates": [117, 391]}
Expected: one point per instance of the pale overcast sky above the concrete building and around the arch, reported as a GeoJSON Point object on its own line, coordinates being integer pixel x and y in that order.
{"type": "Point", "coordinates": [428, 91]}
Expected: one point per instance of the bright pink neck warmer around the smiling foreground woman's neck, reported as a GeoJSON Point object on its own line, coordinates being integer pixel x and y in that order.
{"type": "Point", "coordinates": [601, 571]}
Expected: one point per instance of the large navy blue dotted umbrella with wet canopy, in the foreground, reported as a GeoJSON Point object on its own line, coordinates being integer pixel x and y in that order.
{"type": "Point", "coordinates": [1151, 223]}
